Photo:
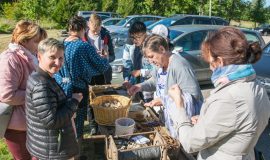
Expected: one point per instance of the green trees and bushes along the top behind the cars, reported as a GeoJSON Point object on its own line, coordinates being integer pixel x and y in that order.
{"type": "Point", "coordinates": [60, 11]}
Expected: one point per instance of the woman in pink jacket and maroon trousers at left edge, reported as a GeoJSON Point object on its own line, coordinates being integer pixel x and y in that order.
{"type": "Point", "coordinates": [17, 63]}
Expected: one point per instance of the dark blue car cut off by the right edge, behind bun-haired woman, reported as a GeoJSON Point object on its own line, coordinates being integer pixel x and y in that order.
{"type": "Point", "coordinates": [262, 71]}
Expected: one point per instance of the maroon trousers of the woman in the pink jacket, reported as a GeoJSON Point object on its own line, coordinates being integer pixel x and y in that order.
{"type": "Point", "coordinates": [16, 142]}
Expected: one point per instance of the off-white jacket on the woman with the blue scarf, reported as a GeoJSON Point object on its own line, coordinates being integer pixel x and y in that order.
{"type": "Point", "coordinates": [230, 123]}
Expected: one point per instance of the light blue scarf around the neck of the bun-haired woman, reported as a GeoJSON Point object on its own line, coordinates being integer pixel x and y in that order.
{"type": "Point", "coordinates": [226, 74]}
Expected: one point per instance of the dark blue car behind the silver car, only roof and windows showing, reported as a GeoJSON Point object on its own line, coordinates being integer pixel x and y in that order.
{"type": "Point", "coordinates": [190, 19]}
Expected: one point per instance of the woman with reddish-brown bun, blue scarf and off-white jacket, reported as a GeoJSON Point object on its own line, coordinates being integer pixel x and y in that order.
{"type": "Point", "coordinates": [238, 109]}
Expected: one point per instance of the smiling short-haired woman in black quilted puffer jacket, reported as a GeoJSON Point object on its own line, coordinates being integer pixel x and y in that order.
{"type": "Point", "coordinates": [50, 133]}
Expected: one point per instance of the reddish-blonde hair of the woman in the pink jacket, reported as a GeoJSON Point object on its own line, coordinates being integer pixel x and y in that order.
{"type": "Point", "coordinates": [26, 30]}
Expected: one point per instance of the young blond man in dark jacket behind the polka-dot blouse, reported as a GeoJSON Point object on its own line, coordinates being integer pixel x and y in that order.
{"type": "Point", "coordinates": [99, 37]}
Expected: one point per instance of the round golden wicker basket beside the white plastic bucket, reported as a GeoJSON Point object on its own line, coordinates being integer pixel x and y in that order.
{"type": "Point", "coordinates": [107, 116]}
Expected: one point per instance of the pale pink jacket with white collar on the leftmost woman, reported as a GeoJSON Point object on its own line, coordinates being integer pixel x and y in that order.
{"type": "Point", "coordinates": [16, 64]}
